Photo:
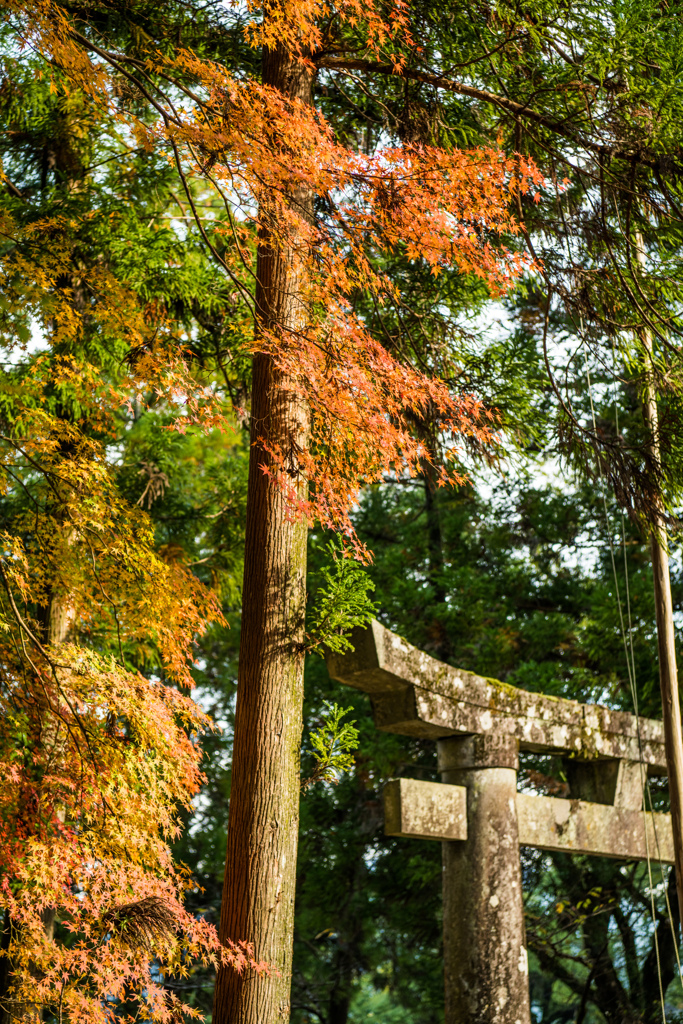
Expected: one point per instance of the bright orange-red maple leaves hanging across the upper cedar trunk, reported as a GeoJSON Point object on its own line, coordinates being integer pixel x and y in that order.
{"type": "Point", "coordinates": [259, 151]}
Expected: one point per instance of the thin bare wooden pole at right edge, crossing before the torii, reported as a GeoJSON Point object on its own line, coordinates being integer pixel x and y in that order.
{"type": "Point", "coordinates": [671, 705]}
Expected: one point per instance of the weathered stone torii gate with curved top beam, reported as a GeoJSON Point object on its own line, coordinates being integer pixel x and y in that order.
{"type": "Point", "coordinates": [480, 726]}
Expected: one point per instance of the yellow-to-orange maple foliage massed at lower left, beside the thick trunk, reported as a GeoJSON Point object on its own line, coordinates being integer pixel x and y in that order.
{"type": "Point", "coordinates": [97, 759]}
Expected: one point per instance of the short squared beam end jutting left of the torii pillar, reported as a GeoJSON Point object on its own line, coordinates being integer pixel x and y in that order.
{"type": "Point", "coordinates": [425, 810]}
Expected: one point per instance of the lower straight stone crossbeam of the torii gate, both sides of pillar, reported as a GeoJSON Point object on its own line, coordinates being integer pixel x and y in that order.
{"type": "Point", "coordinates": [429, 810]}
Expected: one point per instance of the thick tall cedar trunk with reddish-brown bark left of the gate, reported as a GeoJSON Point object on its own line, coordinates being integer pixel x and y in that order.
{"type": "Point", "coordinates": [264, 822]}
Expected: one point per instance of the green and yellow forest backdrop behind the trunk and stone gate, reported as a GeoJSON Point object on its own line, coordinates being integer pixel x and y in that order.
{"type": "Point", "coordinates": [534, 569]}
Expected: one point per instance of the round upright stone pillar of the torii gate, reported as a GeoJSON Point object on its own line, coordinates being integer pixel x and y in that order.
{"type": "Point", "coordinates": [485, 954]}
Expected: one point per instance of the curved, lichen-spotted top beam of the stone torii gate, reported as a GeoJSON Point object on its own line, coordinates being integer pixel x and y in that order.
{"type": "Point", "coordinates": [414, 695]}
